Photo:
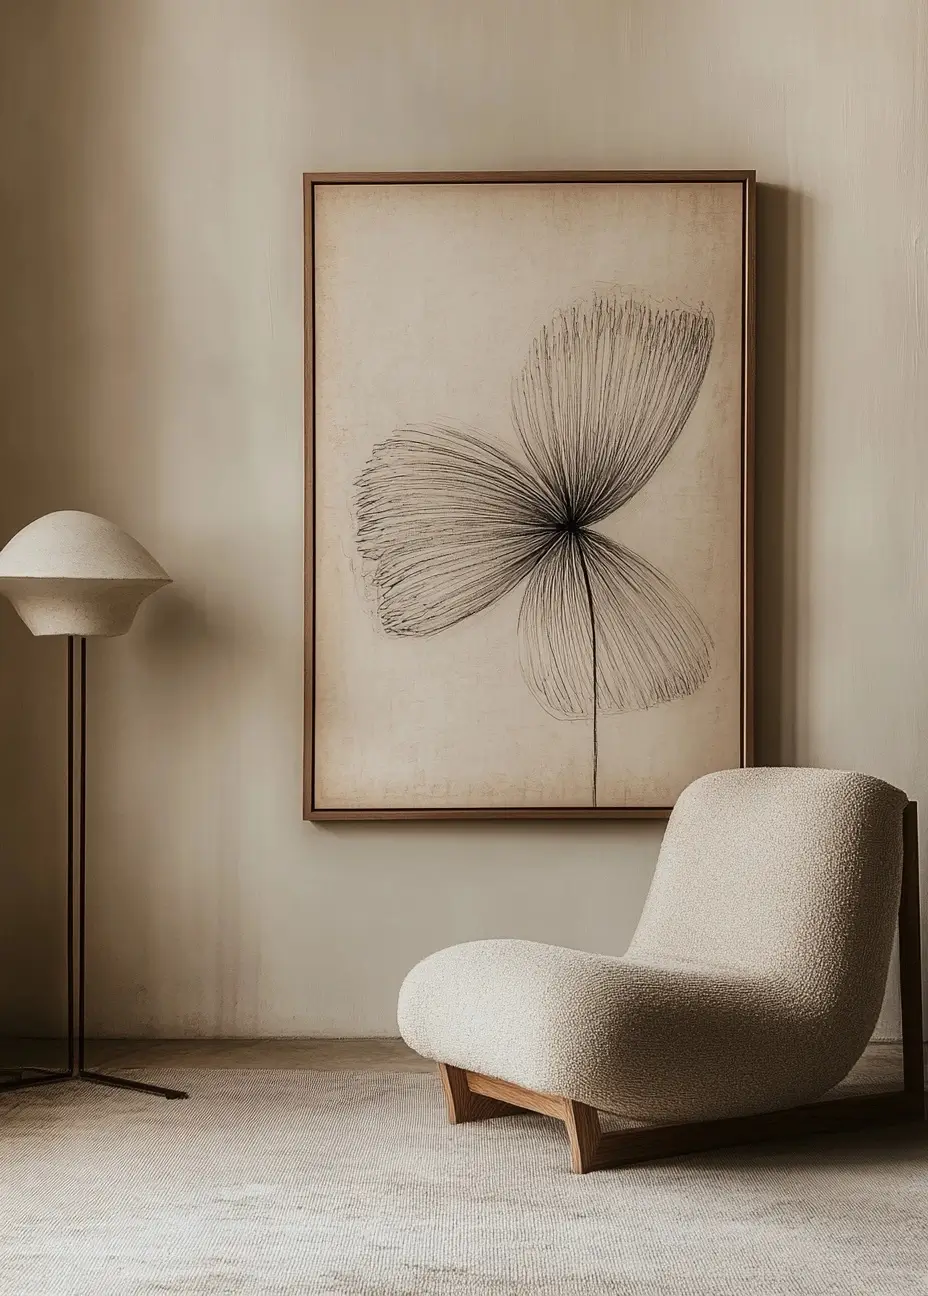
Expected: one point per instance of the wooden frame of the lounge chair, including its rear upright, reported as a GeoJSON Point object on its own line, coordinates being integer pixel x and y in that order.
{"type": "Point", "coordinates": [472, 1097]}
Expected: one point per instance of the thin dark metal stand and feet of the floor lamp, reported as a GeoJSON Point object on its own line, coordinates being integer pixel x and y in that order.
{"type": "Point", "coordinates": [77, 794]}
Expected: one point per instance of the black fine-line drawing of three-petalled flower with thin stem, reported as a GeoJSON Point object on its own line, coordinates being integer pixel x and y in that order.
{"type": "Point", "coordinates": [450, 523]}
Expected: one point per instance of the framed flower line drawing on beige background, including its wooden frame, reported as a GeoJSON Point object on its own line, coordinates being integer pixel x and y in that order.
{"type": "Point", "coordinates": [529, 406]}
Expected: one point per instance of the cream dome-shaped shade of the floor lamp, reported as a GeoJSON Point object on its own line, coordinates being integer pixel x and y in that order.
{"type": "Point", "coordinates": [75, 573]}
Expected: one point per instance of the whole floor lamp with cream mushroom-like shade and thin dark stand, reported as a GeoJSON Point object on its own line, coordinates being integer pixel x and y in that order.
{"type": "Point", "coordinates": [78, 576]}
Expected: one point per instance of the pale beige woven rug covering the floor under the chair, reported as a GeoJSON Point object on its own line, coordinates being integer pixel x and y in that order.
{"type": "Point", "coordinates": [353, 1185]}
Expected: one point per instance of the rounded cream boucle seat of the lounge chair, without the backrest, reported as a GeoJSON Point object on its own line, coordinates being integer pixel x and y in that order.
{"type": "Point", "coordinates": [647, 1040]}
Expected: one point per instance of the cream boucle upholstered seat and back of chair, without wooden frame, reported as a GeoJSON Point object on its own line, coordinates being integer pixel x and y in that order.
{"type": "Point", "coordinates": [754, 982]}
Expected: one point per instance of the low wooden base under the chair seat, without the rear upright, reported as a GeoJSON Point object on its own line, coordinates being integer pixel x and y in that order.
{"type": "Point", "coordinates": [472, 1097]}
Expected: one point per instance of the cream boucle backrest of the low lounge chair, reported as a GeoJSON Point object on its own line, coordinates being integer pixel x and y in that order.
{"type": "Point", "coordinates": [787, 874]}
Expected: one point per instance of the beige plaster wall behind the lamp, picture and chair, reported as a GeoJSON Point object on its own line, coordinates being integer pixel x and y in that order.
{"type": "Point", "coordinates": [151, 370]}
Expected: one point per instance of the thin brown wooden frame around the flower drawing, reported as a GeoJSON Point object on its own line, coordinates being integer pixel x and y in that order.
{"type": "Point", "coordinates": [748, 179]}
